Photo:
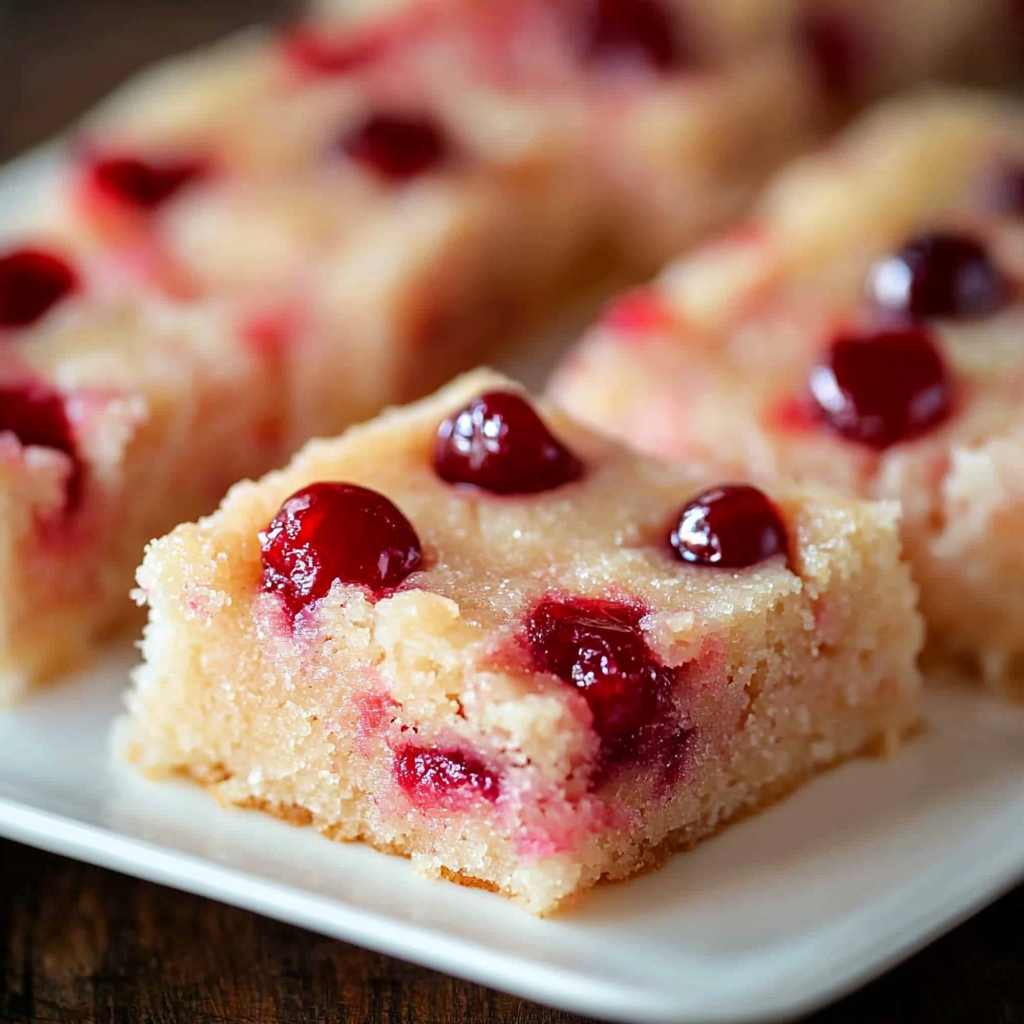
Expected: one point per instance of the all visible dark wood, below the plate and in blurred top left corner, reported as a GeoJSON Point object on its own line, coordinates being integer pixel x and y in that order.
{"type": "Point", "coordinates": [82, 946]}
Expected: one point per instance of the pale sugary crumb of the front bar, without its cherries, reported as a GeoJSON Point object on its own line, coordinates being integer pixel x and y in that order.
{"type": "Point", "coordinates": [785, 673]}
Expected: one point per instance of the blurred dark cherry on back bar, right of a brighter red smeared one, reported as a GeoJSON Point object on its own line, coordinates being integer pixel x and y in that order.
{"type": "Point", "coordinates": [397, 148]}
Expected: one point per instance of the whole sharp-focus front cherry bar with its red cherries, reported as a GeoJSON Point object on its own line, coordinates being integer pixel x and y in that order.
{"type": "Point", "coordinates": [475, 633]}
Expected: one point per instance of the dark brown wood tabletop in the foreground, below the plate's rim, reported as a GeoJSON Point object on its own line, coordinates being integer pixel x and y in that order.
{"type": "Point", "coordinates": [81, 946]}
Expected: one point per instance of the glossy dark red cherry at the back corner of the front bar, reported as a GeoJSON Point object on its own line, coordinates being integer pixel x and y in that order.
{"type": "Point", "coordinates": [499, 444]}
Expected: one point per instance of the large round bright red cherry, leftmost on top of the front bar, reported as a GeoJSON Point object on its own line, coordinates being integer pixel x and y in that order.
{"type": "Point", "coordinates": [337, 532]}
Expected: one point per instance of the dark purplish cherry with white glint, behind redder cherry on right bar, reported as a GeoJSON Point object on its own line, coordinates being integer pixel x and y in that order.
{"type": "Point", "coordinates": [940, 276]}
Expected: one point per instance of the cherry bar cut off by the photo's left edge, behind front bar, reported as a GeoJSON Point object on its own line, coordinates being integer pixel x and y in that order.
{"type": "Point", "coordinates": [120, 414]}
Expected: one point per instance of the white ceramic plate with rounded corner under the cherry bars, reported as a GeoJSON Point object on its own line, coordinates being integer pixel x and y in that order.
{"type": "Point", "coordinates": [774, 918]}
